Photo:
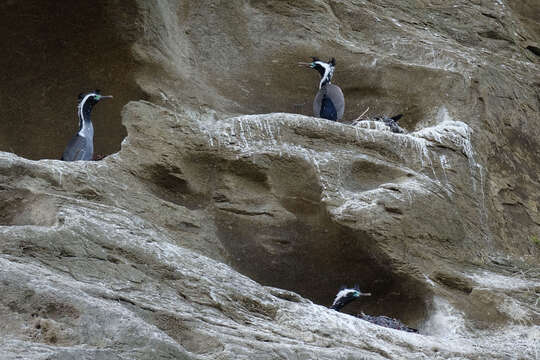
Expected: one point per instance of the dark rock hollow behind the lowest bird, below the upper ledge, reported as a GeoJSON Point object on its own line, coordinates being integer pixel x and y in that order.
{"type": "Point", "coordinates": [315, 260]}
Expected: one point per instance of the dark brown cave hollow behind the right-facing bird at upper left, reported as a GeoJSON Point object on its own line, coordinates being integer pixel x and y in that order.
{"type": "Point", "coordinates": [52, 52]}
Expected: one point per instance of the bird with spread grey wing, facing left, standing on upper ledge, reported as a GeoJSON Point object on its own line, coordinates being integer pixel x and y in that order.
{"type": "Point", "coordinates": [329, 103]}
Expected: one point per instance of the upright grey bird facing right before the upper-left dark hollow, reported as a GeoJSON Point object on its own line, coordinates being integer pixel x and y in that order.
{"type": "Point", "coordinates": [81, 146]}
